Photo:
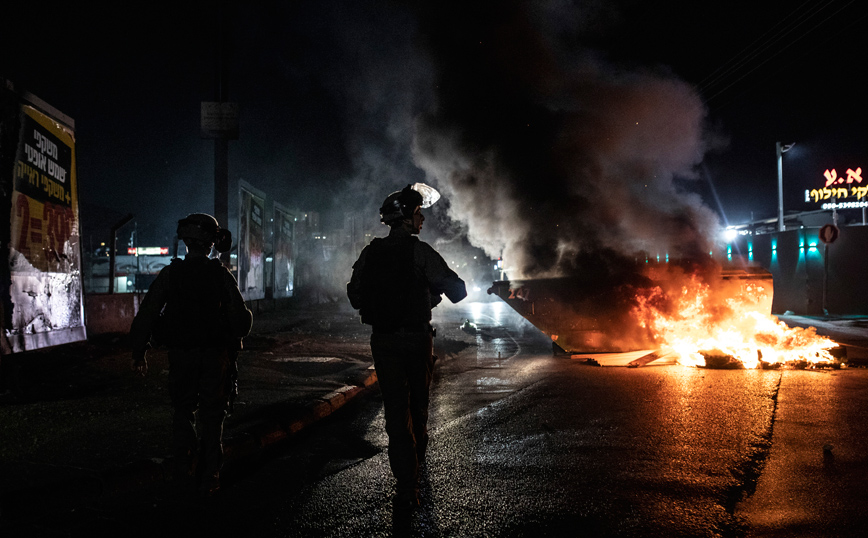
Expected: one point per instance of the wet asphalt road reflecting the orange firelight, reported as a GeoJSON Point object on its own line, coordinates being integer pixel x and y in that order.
{"type": "Point", "coordinates": [527, 444]}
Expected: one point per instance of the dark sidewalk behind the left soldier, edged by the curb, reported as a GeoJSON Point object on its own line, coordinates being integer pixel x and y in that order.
{"type": "Point", "coordinates": [82, 424]}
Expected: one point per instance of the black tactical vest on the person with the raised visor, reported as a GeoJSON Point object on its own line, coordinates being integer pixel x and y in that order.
{"type": "Point", "coordinates": [393, 295]}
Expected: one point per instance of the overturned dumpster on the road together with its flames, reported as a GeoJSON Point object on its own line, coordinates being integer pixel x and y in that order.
{"type": "Point", "coordinates": [707, 315]}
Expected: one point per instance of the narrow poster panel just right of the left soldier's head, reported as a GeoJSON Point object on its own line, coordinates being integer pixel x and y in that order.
{"type": "Point", "coordinates": [251, 243]}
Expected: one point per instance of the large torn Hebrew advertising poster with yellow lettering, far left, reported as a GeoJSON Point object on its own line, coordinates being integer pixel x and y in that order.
{"type": "Point", "coordinates": [44, 250]}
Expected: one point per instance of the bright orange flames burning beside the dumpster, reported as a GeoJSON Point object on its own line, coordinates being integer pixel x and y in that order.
{"type": "Point", "coordinates": [695, 325]}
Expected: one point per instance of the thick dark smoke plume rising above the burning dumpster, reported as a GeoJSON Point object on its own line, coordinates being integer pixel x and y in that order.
{"type": "Point", "coordinates": [551, 156]}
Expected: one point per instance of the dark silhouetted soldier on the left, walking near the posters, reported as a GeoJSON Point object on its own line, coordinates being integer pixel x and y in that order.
{"type": "Point", "coordinates": [194, 307]}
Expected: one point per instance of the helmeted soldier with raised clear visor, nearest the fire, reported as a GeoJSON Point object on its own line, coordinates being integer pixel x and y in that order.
{"type": "Point", "coordinates": [395, 283]}
